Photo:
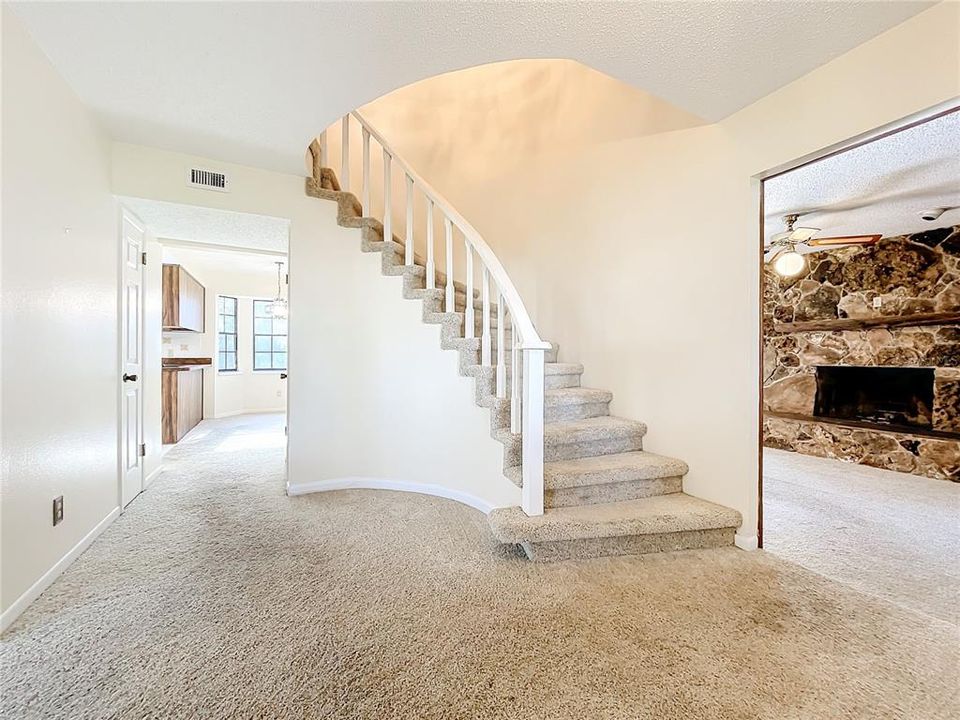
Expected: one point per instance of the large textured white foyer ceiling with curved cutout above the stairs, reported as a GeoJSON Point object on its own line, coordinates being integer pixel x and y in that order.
{"type": "Point", "coordinates": [252, 82]}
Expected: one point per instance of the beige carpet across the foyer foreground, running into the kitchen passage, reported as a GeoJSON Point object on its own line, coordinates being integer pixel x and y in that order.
{"type": "Point", "coordinates": [215, 596]}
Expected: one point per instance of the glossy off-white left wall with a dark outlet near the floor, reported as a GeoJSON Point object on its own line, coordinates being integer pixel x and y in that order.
{"type": "Point", "coordinates": [59, 390]}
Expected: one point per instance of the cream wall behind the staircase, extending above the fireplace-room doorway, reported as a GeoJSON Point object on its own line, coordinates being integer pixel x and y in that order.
{"type": "Point", "coordinates": [618, 239]}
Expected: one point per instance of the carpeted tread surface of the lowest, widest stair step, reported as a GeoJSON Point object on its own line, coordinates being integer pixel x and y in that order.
{"type": "Point", "coordinates": [672, 513]}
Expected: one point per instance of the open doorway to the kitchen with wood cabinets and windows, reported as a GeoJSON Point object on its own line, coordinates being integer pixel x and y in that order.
{"type": "Point", "coordinates": [213, 327]}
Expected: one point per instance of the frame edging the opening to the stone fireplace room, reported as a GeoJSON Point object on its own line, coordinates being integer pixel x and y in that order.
{"type": "Point", "coordinates": [757, 181]}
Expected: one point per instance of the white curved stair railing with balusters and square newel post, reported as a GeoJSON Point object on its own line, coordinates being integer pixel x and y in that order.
{"type": "Point", "coordinates": [527, 357]}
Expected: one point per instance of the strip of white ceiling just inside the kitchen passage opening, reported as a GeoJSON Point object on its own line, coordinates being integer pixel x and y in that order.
{"type": "Point", "coordinates": [214, 227]}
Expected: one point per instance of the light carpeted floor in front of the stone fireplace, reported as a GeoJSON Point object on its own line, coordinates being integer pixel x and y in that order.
{"type": "Point", "coordinates": [885, 533]}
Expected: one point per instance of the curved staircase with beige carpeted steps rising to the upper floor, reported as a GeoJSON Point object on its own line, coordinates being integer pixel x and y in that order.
{"type": "Point", "coordinates": [602, 494]}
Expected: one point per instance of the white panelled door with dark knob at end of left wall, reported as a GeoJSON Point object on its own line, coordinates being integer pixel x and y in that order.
{"type": "Point", "coordinates": [131, 361]}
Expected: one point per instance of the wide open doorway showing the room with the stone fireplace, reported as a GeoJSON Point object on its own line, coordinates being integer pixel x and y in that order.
{"type": "Point", "coordinates": [860, 457]}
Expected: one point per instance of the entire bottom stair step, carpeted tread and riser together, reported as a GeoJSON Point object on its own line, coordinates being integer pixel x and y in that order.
{"type": "Point", "coordinates": [654, 524]}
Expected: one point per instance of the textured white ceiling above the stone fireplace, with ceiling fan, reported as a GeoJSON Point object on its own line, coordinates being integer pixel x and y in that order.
{"type": "Point", "coordinates": [880, 187]}
